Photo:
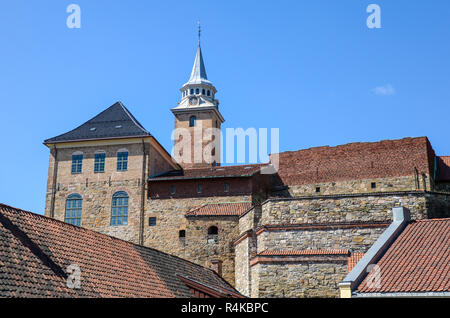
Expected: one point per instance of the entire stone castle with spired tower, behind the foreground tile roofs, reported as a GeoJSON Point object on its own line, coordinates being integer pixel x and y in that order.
{"type": "Point", "coordinates": [289, 234]}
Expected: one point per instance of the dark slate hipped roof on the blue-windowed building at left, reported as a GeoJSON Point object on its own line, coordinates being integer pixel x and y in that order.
{"type": "Point", "coordinates": [114, 122]}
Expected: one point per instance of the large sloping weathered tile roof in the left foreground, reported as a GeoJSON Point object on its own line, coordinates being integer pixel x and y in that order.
{"type": "Point", "coordinates": [35, 252]}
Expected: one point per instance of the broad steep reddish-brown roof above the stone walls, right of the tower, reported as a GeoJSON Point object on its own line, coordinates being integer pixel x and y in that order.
{"type": "Point", "coordinates": [389, 158]}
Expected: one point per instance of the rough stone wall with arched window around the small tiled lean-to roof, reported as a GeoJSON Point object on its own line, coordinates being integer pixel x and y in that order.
{"type": "Point", "coordinates": [170, 219]}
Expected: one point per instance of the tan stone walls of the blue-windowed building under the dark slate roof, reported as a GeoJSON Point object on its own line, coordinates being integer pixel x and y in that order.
{"type": "Point", "coordinates": [97, 188]}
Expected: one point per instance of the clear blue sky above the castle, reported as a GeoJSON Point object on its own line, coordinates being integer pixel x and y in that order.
{"type": "Point", "coordinates": [311, 68]}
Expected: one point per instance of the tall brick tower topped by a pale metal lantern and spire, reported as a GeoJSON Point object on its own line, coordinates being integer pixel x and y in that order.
{"type": "Point", "coordinates": [197, 120]}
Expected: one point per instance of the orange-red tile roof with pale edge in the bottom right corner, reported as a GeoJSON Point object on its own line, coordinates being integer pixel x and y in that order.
{"type": "Point", "coordinates": [417, 261]}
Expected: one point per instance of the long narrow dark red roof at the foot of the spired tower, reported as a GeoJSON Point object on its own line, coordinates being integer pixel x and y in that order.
{"type": "Point", "coordinates": [210, 172]}
